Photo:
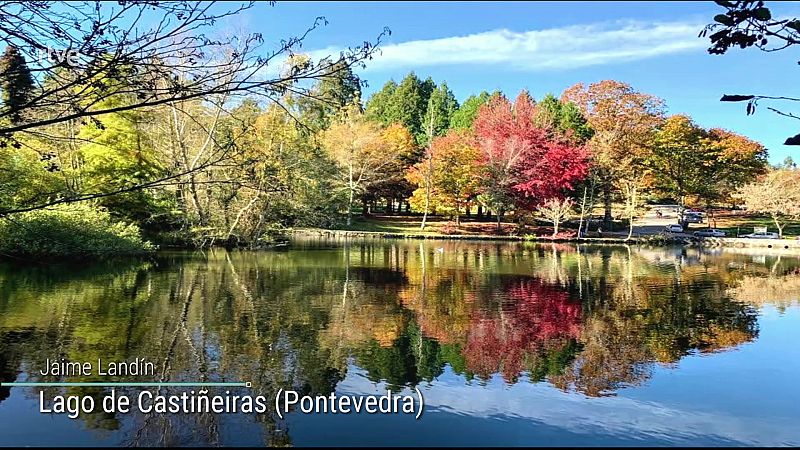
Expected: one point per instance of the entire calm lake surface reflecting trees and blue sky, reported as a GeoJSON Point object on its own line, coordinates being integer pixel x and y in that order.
{"type": "Point", "coordinates": [510, 344]}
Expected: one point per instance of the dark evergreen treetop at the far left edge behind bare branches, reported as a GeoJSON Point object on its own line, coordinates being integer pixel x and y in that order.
{"type": "Point", "coordinates": [16, 83]}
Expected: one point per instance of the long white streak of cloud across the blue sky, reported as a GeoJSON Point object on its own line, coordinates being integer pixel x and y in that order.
{"type": "Point", "coordinates": [554, 48]}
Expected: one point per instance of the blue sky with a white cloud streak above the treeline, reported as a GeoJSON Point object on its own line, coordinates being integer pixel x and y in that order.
{"type": "Point", "coordinates": [546, 47]}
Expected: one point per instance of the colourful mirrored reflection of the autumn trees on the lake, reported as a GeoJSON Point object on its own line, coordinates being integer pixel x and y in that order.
{"type": "Point", "coordinates": [591, 320]}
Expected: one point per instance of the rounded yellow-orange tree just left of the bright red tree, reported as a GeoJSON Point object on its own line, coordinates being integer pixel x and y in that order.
{"type": "Point", "coordinates": [453, 175]}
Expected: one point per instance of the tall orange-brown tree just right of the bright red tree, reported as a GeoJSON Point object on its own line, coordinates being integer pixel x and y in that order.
{"type": "Point", "coordinates": [623, 121]}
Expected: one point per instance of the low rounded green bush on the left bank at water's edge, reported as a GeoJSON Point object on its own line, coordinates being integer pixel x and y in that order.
{"type": "Point", "coordinates": [77, 230]}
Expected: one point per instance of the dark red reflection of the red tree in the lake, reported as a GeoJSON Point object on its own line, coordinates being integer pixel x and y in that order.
{"type": "Point", "coordinates": [534, 316]}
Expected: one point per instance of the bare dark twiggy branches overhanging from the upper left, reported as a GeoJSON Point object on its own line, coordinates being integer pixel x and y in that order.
{"type": "Point", "coordinates": [165, 54]}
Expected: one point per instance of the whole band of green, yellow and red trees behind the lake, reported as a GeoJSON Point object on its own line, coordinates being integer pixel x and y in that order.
{"type": "Point", "coordinates": [194, 155]}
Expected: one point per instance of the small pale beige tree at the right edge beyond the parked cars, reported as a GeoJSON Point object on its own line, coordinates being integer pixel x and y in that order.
{"type": "Point", "coordinates": [776, 194]}
